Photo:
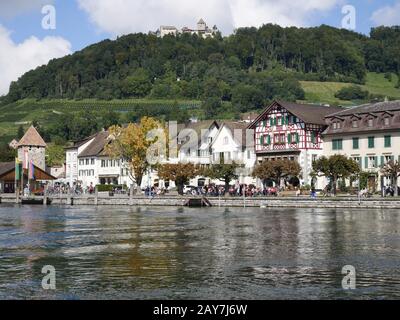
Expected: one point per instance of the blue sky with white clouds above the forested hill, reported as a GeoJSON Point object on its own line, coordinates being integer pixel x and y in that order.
{"type": "Point", "coordinates": [32, 32]}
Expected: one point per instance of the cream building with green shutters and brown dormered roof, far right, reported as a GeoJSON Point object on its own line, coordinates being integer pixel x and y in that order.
{"type": "Point", "coordinates": [370, 134]}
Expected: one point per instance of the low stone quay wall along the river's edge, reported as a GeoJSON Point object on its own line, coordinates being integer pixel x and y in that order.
{"type": "Point", "coordinates": [178, 201]}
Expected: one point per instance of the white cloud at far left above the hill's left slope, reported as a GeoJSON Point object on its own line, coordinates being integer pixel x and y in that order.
{"type": "Point", "coordinates": [16, 59]}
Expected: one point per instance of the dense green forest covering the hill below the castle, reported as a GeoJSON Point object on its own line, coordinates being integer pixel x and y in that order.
{"type": "Point", "coordinates": [245, 69]}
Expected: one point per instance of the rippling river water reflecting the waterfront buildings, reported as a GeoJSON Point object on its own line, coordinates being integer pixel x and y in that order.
{"type": "Point", "coordinates": [217, 253]}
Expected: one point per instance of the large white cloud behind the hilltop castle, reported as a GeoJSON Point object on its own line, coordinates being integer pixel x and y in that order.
{"type": "Point", "coordinates": [125, 16]}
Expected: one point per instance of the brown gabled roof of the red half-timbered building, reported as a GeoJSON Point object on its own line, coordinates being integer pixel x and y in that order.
{"type": "Point", "coordinates": [309, 113]}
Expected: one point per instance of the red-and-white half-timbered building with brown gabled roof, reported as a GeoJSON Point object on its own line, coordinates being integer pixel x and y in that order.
{"type": "Point", "coordinates": [291, 131]}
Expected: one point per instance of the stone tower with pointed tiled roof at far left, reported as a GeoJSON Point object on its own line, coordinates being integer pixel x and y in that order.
{"type": "Point", "coordinates": [34, 145]}
